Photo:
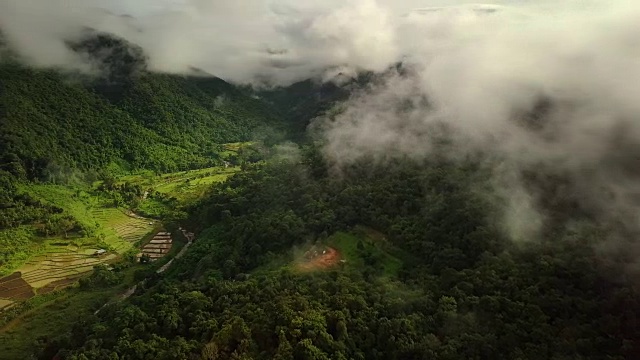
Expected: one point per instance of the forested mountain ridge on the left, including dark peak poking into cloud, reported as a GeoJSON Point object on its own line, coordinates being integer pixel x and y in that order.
{"type": "Point", "coordinates": [73, 128]}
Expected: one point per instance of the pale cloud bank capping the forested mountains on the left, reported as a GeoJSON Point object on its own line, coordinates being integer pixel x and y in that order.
{"type": "Point", "coordinates": [279, 42]}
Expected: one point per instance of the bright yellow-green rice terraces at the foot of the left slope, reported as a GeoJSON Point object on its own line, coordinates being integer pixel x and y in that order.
{"type": "Point", "coordinates": [99, 229]}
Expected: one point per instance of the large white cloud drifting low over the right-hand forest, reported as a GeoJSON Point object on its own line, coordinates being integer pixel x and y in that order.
{"type": "Point", "coordinates": [550, 97]}
